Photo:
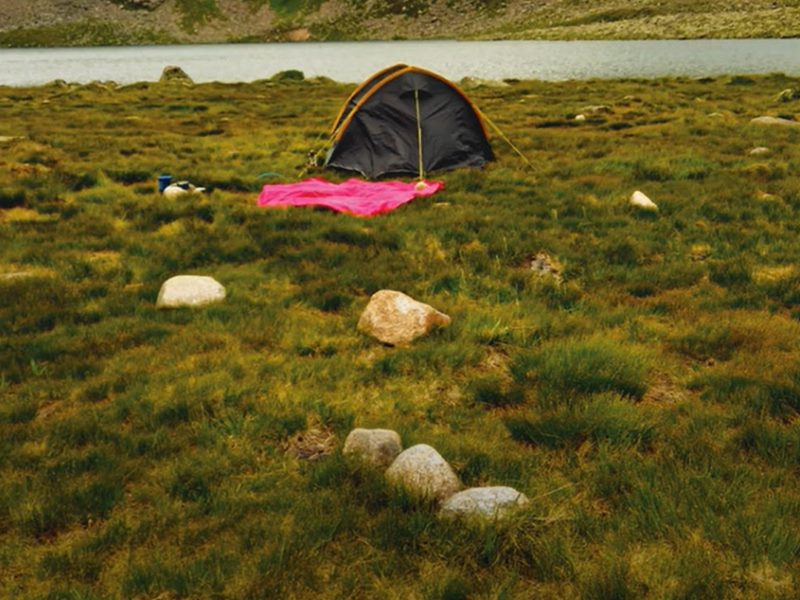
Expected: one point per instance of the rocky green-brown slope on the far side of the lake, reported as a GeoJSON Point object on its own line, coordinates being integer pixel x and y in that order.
{"type": "Point", "coordinates": [103, 22]}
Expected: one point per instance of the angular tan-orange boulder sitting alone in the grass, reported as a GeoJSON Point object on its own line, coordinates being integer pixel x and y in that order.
{"type": "Point", "coordinates": [397, 319]}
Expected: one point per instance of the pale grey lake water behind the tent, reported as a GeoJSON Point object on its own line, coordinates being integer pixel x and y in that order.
{"type": "Point", "coordinates": [354, 61]}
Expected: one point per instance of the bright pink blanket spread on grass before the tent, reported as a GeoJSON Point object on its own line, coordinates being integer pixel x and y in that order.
{"type": "Point", "coordinates": [354, 196]}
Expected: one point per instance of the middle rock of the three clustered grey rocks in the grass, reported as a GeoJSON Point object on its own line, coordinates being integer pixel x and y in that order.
{"type": "Point", "coordinates": [423, 473]}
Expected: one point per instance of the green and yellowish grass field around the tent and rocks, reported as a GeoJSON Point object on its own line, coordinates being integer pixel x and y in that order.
{"type": "Point", "coordinates": [647, 405]}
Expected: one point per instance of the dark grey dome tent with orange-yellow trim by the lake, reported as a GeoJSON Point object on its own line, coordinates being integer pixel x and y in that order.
{"type": "Point", "coordinates": [406, 120]}
